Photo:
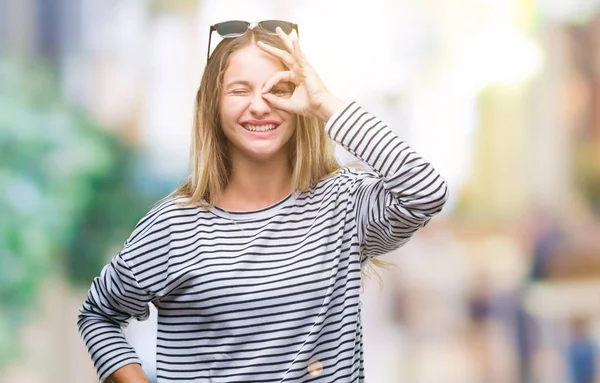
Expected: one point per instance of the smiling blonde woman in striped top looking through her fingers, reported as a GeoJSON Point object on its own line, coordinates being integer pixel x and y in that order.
{"type": "Point", "coordinates": [254, 264]}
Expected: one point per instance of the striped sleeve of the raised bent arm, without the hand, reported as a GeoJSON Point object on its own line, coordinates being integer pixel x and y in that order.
{"type": "Point", "coordinates": [403, 191]}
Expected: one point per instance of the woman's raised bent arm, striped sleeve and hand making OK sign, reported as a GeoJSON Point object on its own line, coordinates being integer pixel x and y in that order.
{"type": "Point", "coordinates": [404, 191]}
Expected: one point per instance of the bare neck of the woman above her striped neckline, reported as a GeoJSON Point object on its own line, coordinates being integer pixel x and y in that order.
{"type": "Point", "coordinates": [255, 185]}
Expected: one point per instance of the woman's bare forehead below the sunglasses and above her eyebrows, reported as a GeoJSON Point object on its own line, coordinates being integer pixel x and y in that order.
{"type": "Point", "coordinates": [251, 64]}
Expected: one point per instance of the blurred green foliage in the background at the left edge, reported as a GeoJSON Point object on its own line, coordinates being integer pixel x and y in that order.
{"type": "Point", "coordinates": [67, 194]}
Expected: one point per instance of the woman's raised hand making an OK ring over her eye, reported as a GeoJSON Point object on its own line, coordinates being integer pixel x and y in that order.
{"type": "Point", "coordinates": [310, 96]}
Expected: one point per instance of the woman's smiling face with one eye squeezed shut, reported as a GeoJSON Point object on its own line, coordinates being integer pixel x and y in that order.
{"type": "Point", "coordinates": [256, 131]}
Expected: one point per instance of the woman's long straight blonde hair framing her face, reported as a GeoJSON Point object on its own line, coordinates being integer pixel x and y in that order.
{"type": "Point", "coordinates": [312, 151]}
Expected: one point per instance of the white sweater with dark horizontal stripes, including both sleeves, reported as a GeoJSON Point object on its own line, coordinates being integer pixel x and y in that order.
{"type": "Point", "coordinates": [269, 295]}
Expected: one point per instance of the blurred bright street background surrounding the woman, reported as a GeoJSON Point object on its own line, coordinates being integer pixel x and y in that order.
{"type": "Point", "coordinates": [502, 96]}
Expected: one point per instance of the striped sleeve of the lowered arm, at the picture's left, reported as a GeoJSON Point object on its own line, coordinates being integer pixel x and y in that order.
{"type": "Point", "coordinates": [122, 291]}
